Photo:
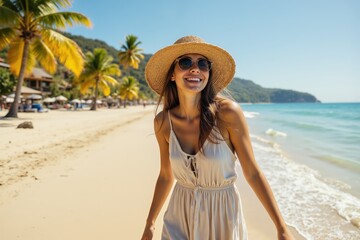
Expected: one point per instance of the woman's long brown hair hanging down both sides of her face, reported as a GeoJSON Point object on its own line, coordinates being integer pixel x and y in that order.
{"type": "Point", "coordinates": [208, 107]}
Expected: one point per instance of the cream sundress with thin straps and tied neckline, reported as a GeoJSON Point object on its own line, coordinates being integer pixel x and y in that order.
{"type": "Point", "coordinates": [205, 203]}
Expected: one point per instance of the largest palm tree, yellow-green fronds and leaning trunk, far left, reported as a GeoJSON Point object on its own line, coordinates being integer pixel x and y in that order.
{"type": "Point", "coordinates": [30, 28]}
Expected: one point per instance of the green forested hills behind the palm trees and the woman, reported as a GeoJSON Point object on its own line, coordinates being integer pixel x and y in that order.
{"type": "Point", "coordinates": [242, 90]}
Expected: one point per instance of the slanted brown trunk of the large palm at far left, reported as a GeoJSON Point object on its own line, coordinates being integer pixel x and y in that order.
{"type": "Point", "coordinates": [14, 106]}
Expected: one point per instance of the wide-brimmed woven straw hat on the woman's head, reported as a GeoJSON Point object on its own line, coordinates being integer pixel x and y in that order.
{"type": "Point", "coordinates": [223, 65]}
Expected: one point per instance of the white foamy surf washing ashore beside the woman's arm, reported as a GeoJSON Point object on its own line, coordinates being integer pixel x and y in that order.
{"type": "Point", "coordinates": [308, 202]}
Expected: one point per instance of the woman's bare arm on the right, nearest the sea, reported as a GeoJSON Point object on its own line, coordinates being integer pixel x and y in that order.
{"type": "Point", "coordinates": [234, 119]}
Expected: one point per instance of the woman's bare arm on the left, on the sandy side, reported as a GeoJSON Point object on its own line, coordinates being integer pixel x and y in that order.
{"type": "Point", "coordinates": [164, 181]}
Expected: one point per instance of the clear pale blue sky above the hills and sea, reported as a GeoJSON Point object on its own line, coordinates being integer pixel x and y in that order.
{"type": "Point", "coordinates": [304, 45]}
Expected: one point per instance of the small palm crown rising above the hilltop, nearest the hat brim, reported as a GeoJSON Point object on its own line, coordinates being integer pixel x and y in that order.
{"type": "Point", "coordinates": [129, 54]}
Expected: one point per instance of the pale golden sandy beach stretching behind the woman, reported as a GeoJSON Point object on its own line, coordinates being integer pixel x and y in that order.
{"type": "Point", "coordinates": [88, 175]}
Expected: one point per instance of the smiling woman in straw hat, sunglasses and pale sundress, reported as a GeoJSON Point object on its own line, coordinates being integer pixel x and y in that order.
{"type": "Point", "coordinates": [198, 132]}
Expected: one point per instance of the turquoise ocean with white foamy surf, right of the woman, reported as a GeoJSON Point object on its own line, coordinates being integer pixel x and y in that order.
{"type": "Point", "coordinates": [310, 154]}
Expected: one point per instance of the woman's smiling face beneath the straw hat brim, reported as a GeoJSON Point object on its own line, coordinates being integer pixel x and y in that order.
{"type": "Point", "coordinates": [193, 79]}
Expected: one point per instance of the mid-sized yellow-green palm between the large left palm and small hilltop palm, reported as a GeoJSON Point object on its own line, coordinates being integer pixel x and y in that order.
{"type": "Point", "coordinates": [97, 70]}
